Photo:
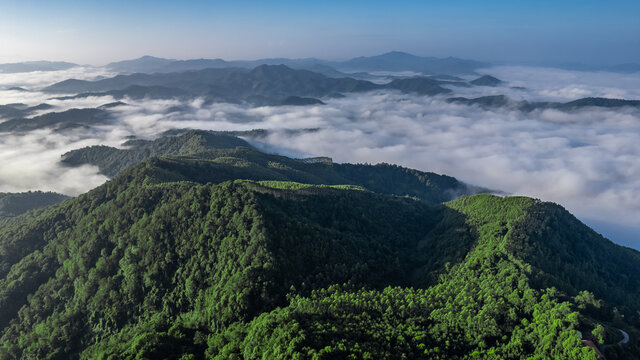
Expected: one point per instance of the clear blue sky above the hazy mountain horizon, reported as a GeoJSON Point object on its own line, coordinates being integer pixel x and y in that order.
{"type": "Point", "coordinates": [596, 32]}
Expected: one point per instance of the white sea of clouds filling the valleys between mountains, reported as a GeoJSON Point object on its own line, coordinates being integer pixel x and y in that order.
{"type": "Point", "coordinates": [588, 160]}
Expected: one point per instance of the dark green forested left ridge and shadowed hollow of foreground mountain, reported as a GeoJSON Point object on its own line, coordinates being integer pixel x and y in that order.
{"type": "Point", "coordinates": [224, 253]}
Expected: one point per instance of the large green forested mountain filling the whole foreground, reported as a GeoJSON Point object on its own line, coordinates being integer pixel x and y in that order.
{"type": "Point", "coordinates": [179, 257]}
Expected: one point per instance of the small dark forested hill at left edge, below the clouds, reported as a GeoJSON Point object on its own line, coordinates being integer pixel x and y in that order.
{"type": "Point", "coordinates": [14, 204]}
